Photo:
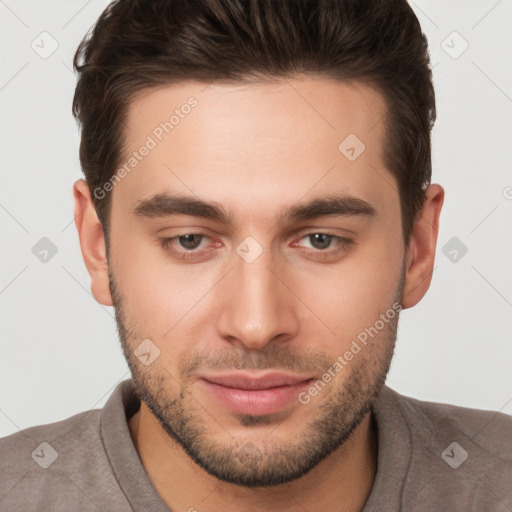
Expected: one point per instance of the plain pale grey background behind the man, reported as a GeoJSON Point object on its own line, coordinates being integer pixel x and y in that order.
{"type": "Point", "coordinates": [59, 352]}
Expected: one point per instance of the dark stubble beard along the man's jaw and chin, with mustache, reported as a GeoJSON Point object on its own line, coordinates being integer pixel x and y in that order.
{"type": "Point", "coordinates": [250, 461]}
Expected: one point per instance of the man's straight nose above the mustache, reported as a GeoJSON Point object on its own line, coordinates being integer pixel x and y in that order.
{"type": "Point", "coordinates": [256, 307]}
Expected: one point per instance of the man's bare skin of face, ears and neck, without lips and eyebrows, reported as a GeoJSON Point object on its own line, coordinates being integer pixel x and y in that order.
{"type": "Point", "coordinates": [257, 149]}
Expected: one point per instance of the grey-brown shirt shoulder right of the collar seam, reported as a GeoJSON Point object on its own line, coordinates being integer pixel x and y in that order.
{"type": "Point", "coordinates": [461, 457]}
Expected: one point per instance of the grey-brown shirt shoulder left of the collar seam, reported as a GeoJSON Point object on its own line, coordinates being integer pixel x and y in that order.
{"type": "Point", "coordinates": [55, 465]}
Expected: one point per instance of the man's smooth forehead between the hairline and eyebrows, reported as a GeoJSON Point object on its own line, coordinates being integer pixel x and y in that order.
{"type": "Point", "coordinates": [256, 145]}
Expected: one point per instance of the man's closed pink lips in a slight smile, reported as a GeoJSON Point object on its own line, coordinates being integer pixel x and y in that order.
{"type": "Point", "coordinates": [256, 394]}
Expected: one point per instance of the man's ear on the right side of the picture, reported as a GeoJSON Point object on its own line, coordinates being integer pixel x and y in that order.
{"type": "Point", "coordinates": [421, 248]}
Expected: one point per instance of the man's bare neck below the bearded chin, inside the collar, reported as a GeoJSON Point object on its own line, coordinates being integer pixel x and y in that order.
{"type": "Point", "coordinates": [342, 481]}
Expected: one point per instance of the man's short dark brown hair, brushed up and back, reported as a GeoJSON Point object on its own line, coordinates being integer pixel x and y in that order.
{"type": "Point", "coordinates": [140, 44]}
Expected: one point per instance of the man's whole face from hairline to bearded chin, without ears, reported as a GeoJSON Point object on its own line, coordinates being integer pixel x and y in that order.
{"type": "Point", "coordinates": [264, 263]}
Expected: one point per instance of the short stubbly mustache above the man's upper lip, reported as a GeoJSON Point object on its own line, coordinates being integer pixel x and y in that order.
{"type": "Point", "coordinates": [269, 358]}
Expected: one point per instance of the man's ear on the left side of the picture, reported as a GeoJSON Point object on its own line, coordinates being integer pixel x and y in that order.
{"type": "Point", "coordinates": [92, 242]}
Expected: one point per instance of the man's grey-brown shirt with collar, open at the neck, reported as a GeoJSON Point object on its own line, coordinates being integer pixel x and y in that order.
{"type": "Point", "coordinates": [431, 457]}
